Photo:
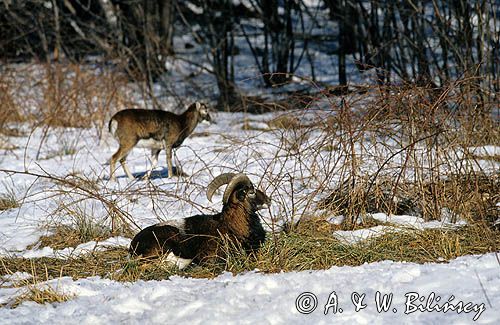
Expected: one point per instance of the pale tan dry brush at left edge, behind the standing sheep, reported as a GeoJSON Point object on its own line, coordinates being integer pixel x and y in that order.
{"type": "Point", "coordinates": [61, 95]}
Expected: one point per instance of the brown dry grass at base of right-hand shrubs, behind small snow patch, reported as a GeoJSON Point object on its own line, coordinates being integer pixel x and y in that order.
{"type": "Point", "coordinates": [472, 197]}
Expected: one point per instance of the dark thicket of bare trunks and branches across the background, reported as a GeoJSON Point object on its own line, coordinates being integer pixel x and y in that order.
{"type": "Point", "coordinates": [426, 42]}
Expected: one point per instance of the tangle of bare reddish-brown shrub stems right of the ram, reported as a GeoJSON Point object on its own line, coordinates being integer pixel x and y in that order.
{"type": "Point", "coordinates": [416, 138]}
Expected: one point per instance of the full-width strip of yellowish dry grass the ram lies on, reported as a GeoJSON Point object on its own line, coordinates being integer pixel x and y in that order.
{"type": "Point", "coordinates": [294, 251]}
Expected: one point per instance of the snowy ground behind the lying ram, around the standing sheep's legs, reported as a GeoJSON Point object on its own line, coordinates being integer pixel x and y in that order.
{"type": "Point", "coordinates": [284, 163]}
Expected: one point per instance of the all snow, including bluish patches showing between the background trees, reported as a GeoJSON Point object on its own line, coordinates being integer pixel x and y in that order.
{"type": "Point", "coordinates": [237, 142]}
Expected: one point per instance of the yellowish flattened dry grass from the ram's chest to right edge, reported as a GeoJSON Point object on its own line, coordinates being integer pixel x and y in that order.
{"type": "Point", "coordinates": [299, 251]}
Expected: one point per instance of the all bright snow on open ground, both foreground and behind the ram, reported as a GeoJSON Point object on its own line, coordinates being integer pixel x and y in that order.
{"type": "Point", "coordinates": [471, 283]}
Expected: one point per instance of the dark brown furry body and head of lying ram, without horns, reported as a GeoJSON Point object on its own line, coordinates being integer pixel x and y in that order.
{"type": "Point", "coordinates": [200, 238]}
